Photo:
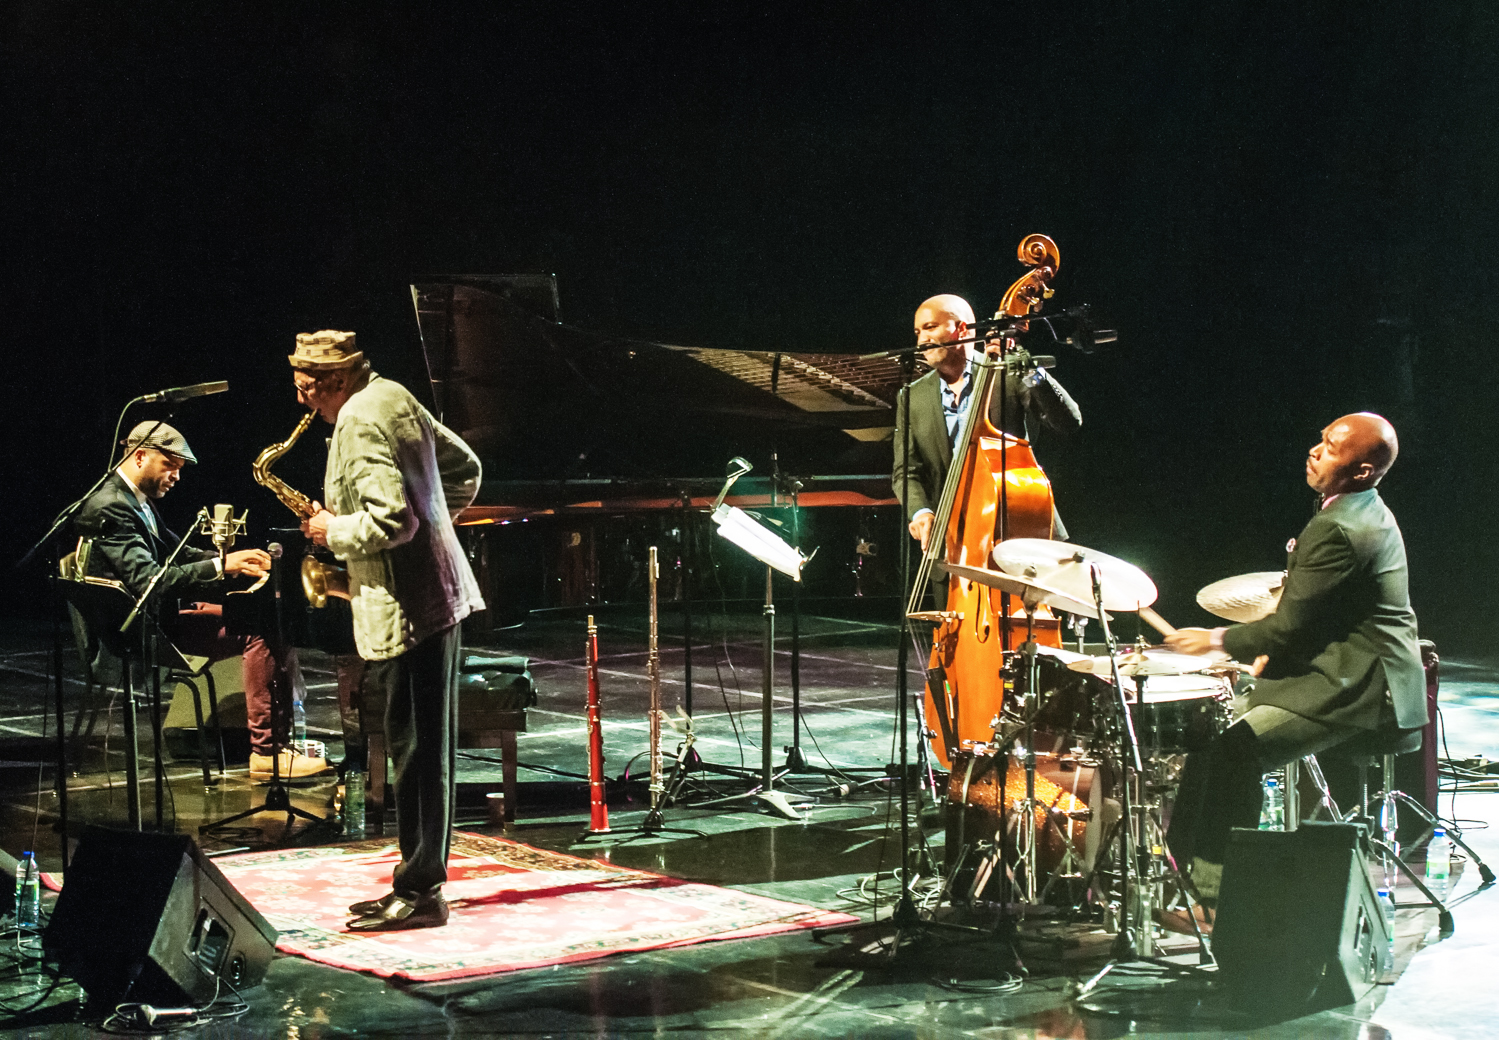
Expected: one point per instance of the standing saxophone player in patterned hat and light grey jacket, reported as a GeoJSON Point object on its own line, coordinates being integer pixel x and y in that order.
{"type": "Point", "coordinates": [395, 480]}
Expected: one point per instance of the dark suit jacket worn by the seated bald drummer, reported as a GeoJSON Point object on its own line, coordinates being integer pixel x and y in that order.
{"type": "Point", "coordinates": [1344, 633]}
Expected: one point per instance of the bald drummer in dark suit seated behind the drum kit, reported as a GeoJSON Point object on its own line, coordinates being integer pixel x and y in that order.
{"type": "Point", "coordinates": [1338, 659]}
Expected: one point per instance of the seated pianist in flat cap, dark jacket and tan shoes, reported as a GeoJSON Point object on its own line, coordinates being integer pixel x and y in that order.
{"type": "Point", "coordinates": [127, 542]}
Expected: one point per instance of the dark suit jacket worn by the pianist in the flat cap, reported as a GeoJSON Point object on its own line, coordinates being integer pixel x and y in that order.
{"type": "Point", "coordinates": [127, 551]}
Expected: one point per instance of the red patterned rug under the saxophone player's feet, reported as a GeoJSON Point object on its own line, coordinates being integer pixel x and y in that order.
{"type": "Point", "coordinates": [513, 907]}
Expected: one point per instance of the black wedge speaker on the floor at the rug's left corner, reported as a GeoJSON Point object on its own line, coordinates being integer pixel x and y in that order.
{"type": "Point", "coordinates": [149, 918]}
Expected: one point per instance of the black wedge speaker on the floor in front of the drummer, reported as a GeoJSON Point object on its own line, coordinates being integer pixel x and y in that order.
{"type": "Point", "coordinates": [1299, 925]}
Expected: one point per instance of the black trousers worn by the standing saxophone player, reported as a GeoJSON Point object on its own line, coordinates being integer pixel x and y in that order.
{"type": "Point", "coordinates": [422, 705]}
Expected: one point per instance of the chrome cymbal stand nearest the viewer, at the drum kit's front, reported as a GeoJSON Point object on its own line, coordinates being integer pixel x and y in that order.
{"type": "Point", "coordinates": [1134, 942]}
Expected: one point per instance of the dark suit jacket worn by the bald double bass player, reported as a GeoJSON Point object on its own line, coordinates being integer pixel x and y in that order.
{"type": "Point", "coordinates": [1026, 410]}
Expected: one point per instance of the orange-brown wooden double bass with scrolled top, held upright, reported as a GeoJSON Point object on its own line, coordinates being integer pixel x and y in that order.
{"type": "Point", "coordinates": [995, 491]}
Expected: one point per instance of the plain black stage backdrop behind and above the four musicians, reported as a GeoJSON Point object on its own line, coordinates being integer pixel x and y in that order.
{"type": "Point", "coordinates": [1288, 211]}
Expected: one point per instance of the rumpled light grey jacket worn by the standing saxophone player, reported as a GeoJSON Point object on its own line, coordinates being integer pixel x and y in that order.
{"type": "Point", "coordinates": [396, 479]}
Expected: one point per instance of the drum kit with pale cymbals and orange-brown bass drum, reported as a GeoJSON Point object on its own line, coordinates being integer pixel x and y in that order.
{"type": "Point", "coordinates": [1086, 744]}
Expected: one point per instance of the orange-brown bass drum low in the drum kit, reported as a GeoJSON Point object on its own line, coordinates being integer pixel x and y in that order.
{"type": "Point", "coordinates": [984, 796]}
